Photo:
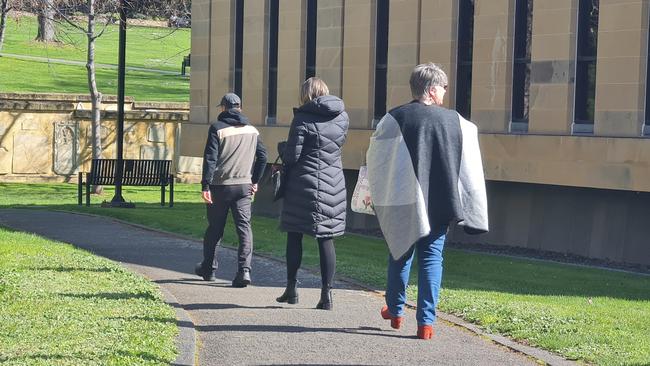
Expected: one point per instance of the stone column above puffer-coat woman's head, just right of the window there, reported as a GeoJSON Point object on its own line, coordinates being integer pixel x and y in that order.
{"type": "Point", "coordinates": [329, 44]}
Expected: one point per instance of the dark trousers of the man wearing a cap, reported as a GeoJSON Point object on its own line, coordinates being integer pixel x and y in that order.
{"type": "Point", "coordinates": [237, 199]}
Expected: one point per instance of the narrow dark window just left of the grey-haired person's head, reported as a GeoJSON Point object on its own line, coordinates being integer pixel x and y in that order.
{"type": "Point", "coordinates": [381, 58]}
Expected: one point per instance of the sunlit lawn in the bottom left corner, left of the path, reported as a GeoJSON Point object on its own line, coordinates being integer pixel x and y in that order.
{"type": "Point", "coordinates": [61, 305]}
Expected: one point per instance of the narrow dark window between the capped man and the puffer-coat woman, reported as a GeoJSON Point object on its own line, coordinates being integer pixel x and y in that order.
{"type": "Point", "coordinates": [272, 105]}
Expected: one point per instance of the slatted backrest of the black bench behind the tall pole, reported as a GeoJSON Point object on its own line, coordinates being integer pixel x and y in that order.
{"type": "Point", "coordinates": [135, 172]}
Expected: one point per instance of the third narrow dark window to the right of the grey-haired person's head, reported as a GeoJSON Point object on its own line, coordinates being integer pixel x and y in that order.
{"type": "Point", "coordinates": [585, 83]}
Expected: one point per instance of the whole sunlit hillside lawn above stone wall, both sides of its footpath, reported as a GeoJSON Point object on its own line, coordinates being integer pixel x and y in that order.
{"type": "Point", "coordinates": [157, 48]}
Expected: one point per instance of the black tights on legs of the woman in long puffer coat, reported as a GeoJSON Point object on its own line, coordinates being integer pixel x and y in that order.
{"type": "Point", "coordinates": [327, 258]}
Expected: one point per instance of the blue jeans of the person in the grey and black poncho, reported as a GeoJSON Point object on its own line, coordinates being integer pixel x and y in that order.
{"type": "Point", "coordinates": [429, 277]}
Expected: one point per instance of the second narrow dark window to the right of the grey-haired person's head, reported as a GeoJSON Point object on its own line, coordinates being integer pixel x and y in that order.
{"type": "Point", "coordinates": [521, 65]}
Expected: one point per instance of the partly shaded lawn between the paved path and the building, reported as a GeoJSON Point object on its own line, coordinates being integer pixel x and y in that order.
{"type": "Point", "coordinates": [592, 315]}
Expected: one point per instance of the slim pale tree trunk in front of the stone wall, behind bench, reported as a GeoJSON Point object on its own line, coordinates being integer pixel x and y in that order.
{"type": "Point", "coordinates": [95, 95]}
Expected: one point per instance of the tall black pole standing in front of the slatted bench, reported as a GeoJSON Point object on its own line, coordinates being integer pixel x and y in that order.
{"type": "Point", "coordinates": [118, 200]}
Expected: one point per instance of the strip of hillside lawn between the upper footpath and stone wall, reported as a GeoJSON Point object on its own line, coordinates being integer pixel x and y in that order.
{"type": "Point", "coordinates": [51, 78]}
